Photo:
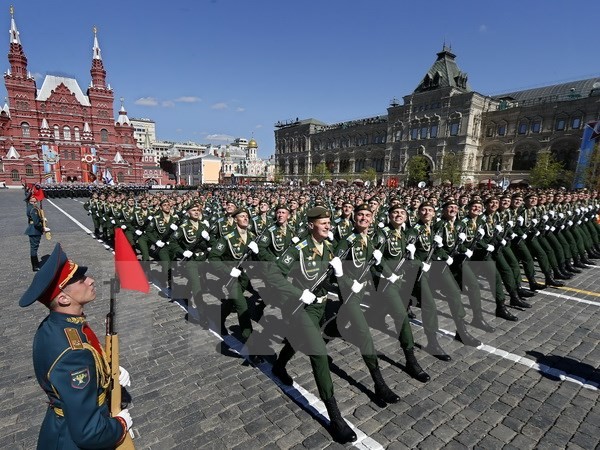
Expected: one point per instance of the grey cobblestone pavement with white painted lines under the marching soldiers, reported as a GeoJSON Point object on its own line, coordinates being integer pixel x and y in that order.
{"type": "Point", "coordinates": [532, 385]}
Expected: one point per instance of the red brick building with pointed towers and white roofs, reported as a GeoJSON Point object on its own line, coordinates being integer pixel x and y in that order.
{"type": "Point", "coordinates": [58, 133]}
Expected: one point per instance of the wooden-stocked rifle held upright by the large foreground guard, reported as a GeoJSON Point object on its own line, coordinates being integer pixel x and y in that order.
{"type": "Point", "coordinates": [111, 348]}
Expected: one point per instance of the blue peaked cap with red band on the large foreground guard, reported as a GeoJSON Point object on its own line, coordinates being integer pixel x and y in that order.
{"type": "Point", "coordinates": [52, 277]}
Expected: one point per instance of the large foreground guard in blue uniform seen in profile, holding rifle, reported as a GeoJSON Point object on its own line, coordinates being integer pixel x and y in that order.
{"type": "Point", "coordinates": [69, 362]}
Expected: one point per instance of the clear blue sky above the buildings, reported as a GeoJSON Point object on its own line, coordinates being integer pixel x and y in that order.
{"type": "Point", "coordinates": [211, 71]}
